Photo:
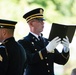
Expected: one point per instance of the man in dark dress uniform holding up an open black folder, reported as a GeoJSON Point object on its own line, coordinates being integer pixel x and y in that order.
{"type": "Point", "coordinates": [42, 54]}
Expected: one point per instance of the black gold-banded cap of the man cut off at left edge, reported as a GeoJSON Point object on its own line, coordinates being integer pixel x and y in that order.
{"type": "Point", "coordinates": [7, 24]}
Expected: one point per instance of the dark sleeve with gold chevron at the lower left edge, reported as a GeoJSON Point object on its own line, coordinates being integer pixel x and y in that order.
{"type": "Point", "coordinates": [3, 60]}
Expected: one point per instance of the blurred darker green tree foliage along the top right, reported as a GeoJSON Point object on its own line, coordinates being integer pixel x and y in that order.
{"type": "Point", "coordinates": [62, 6]}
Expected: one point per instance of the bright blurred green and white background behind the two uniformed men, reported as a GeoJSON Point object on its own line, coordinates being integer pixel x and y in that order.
{"type": "Point", "coordinates": [59, 11]}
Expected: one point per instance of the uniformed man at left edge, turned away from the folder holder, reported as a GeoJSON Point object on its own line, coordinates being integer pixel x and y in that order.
{"type": "Point", "coordinates": [12, 60]}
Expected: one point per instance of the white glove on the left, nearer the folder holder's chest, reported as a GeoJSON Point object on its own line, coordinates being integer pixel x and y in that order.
{"type": "Point", "coordinates": [52, 45]}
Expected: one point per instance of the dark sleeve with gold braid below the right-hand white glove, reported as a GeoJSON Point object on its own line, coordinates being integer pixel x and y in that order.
{"type": "Point", "coordinates": [61, 58]}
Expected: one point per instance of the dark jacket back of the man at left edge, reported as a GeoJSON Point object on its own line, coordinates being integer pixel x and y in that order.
{"type": "Point", "coordinates": [14, 59]}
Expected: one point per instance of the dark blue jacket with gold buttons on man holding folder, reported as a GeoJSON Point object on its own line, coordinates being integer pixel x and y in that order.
{"type": "Point", "coordinates": [39, 61]}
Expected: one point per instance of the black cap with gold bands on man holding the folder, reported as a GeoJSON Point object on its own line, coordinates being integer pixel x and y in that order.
{"type": "Point", "coordinates": [36, 13]}
